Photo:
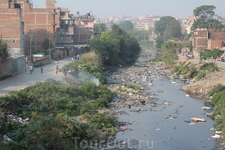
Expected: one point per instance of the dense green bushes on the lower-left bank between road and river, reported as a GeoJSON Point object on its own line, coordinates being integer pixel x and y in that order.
{"type": "Point", "coordinates": [52, 109]}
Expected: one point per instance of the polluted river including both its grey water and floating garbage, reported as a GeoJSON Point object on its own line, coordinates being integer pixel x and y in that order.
{"type": "Point", "coordinates": [154, 113]}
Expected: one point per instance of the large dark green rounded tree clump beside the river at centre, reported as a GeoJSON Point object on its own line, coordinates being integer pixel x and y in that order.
{"type": "Point", "coordinates": [116, 47]}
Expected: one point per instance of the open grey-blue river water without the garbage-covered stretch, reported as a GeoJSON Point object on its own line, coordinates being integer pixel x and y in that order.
{"type": "Point", "coordinates": [163, 127]}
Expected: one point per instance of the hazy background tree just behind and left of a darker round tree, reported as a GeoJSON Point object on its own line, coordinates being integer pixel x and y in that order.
{"type": "Point", "coordinates": [160, 26]}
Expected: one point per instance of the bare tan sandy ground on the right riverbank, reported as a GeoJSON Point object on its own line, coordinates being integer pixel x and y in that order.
{"type": "Point", "coordinates": [201, 87]}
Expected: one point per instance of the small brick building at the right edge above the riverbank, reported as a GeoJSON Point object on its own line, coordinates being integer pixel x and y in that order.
{"type": "Point", "coordinates": [207, 39]}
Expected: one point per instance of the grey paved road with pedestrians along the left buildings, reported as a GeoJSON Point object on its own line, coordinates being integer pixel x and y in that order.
{"type": "Point", "coordinates": [23, 79]}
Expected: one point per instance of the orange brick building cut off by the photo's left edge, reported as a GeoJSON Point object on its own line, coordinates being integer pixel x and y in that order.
{"type": "Point", "coordinates": [11, 26]}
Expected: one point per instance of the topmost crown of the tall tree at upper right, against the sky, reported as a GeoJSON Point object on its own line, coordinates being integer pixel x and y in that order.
{"type": "Point", "coordinates": [204, 11]}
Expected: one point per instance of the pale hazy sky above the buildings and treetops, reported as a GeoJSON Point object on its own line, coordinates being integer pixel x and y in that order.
{"type": "Point", "coordinates": [107, 8]}
